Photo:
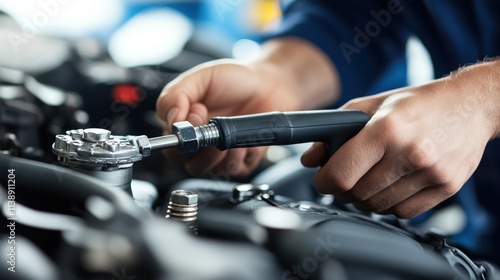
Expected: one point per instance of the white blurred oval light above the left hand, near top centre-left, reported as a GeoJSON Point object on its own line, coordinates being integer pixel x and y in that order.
{"type": "Point", "coordinates": [150, 38]}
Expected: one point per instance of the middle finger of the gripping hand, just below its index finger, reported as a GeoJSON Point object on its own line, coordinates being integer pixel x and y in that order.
{"type": "Point", "coordinates": [385, 173]}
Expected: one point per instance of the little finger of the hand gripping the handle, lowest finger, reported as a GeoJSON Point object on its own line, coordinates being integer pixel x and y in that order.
{"type": "Point", "coordinates": [421, 202]}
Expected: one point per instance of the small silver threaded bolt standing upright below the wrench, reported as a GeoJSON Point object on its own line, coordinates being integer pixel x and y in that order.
{"type": "Point", "coordinates": [183, 206]}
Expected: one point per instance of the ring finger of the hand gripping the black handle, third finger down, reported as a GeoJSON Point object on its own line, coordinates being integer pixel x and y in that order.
{"type": "Point", "coordinates": [399, 191]}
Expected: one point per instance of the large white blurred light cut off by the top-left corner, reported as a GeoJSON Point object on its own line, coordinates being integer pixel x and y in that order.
{"type": "Point", "coordinates": [64, 17]}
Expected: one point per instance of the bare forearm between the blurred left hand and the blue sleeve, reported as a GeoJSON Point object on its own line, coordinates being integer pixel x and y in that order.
{"type": "Point", "coordinates": [304, 67]}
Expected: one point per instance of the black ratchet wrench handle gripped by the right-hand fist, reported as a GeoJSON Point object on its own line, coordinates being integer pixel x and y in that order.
{"type": "Point", "coordinates": [334, 127]}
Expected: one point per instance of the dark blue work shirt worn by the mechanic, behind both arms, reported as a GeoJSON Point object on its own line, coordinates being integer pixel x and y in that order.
{"type": "Point", "coordinates": [366, 40]}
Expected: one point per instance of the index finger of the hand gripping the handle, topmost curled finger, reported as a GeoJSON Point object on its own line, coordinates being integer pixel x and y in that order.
{"type": "Point", "coordinates": [349, 163]}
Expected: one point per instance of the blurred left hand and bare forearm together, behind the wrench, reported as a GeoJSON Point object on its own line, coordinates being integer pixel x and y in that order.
{"type": "Point", "coordinates": [291, 75]}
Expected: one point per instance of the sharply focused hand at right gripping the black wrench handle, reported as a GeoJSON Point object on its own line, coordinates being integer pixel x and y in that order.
{"type": "Point", "coordinates": [419, 148]}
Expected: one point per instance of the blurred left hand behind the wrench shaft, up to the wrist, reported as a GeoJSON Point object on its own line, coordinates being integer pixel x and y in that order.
{"type": "Point", "coordinates": [223, 88]}
